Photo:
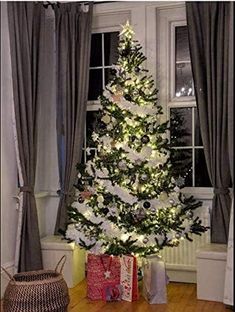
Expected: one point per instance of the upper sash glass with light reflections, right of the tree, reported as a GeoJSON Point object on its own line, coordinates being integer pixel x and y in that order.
{"type": "Point", "coordinates": [183, 71]}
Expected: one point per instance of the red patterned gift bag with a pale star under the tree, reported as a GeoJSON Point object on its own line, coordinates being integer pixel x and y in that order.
{"type": "Point", "coordinates": [101, 269]}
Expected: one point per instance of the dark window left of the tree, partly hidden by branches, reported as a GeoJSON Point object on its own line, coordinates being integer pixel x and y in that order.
{"type": "Point", "coordinates": [104, 54]}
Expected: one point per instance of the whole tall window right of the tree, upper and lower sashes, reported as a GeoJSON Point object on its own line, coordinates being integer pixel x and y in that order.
{"type": "Point", "coordinates": [187, 150]}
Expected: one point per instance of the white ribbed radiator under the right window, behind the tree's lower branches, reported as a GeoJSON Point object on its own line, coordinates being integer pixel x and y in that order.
{"type": "Point", "coordinates": [181, 261]}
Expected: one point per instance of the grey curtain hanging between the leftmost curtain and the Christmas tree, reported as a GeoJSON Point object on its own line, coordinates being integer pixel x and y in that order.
{"type": "Point", "coordinates": [73, 36]}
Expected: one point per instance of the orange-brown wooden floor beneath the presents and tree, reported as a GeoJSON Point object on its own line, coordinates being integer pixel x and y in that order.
{"type": "Point", "coordinates": [181, 298]}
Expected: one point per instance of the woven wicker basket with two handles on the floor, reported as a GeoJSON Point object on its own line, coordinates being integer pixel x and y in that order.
{"type": "Point", "coordinates": [37, 291]}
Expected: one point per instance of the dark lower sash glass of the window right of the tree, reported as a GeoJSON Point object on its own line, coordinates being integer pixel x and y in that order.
{"type": "Point", "coordinates": [187, 149]}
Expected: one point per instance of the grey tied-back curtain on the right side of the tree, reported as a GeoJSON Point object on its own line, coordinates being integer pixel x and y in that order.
{"type": "Point", "coordinates": [208, 26]}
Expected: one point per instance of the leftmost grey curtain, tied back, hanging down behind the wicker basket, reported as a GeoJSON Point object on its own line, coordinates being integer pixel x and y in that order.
{"type": "Point", "coordinates": [25, 21]}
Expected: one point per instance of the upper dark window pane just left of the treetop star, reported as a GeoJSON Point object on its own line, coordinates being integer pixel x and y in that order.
{"type": "Point", "coordinates": [110, 48]}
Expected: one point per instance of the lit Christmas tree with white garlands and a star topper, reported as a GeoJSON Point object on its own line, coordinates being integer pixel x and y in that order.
{"type": "Point", "coordinates": [128, 200]}
